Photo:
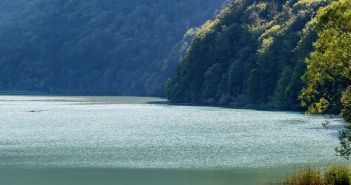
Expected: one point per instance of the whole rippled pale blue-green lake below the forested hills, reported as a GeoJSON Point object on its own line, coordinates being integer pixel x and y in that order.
{"type": "Point", "coordinates": [48, 140]}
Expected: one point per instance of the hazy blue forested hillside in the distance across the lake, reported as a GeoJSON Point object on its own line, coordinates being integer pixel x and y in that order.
{"type": "Point", "coordinates": [121, 47]}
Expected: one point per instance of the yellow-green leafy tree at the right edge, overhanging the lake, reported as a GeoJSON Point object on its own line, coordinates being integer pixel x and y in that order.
{"type": "Point", "coordinates": [329, 66]}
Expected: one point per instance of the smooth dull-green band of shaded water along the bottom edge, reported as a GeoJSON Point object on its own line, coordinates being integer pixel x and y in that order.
{"type": "Point", "coordinates": [95, 176]}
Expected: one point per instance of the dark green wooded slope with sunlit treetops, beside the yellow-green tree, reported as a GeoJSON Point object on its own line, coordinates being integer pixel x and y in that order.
{"type": "Point", "coordinates": [252, 53]}
